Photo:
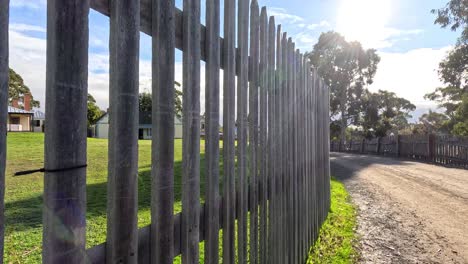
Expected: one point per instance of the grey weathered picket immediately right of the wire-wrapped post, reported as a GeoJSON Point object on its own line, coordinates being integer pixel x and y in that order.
{"type": "Point", "coordinates": [122, 185]}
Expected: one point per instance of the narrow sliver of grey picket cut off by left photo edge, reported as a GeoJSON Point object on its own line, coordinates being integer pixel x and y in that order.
{"type": "Point", "coordinates": [4, 72]}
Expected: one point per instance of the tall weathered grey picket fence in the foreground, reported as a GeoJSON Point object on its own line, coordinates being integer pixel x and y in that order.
{"type": "Point", "coordinates": [275, 183]}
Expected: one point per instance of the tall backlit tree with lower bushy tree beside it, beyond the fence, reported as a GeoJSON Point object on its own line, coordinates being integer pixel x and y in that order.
{"type": "Point", "coordinates": [347, 68]}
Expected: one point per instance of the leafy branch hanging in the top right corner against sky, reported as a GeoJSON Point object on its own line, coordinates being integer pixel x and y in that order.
{"type": "Point", "coordinates": [455, 16]}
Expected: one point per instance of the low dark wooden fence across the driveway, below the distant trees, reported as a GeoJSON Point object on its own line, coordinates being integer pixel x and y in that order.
{"type": "Point", "coordinates": [445, 150]}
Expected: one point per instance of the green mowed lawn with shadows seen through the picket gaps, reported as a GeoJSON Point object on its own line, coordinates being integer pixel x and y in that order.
{"type": "Point", "coordinates": [23, 195]}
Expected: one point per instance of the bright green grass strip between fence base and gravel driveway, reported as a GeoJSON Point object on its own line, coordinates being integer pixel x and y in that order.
{"type": "Point", "coordinates": [337, 236]}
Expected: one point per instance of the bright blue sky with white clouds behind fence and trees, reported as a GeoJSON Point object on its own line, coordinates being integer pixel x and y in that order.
{"type": "Point", "coordinates": [402, 31]}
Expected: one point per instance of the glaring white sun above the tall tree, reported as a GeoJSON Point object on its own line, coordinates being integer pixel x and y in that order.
{"type": "Point", "coordinates": [364, 20]}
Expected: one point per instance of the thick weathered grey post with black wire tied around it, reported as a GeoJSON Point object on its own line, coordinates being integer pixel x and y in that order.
{"type": "Point", "coordinates": [64, 216]}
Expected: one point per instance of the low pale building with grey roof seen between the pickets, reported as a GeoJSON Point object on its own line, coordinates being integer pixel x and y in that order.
{"type": "Point", "coordinates": [101, 129]}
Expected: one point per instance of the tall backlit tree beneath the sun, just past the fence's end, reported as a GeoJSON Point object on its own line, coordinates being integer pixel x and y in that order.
{"type": "Point", "coordinates": [346, 68]}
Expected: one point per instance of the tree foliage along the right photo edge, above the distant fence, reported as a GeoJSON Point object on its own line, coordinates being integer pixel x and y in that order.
{"type": "Point", "coordinates": [452, 97]}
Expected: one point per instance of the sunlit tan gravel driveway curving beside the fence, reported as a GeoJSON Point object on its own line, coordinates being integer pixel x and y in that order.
{"type": "Point", "coordinates": [409, 212]}
